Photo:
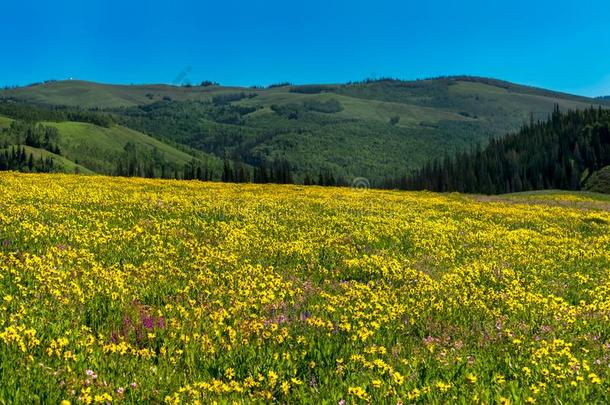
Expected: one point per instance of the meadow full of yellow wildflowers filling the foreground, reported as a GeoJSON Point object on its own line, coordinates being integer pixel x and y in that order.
{"type": "Point", "coordinates": [128, 291]}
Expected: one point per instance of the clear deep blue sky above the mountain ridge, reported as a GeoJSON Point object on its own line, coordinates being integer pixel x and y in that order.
{"type": "Point", "coordinates": [562, 45]}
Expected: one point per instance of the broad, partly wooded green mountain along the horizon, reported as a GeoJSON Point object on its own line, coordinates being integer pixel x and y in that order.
{"type": "Point", "coordinates": [375, 129]}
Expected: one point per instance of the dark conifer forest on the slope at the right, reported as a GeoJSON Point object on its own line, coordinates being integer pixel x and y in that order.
{"type": "Point", "coordinates": [559, 153]}
